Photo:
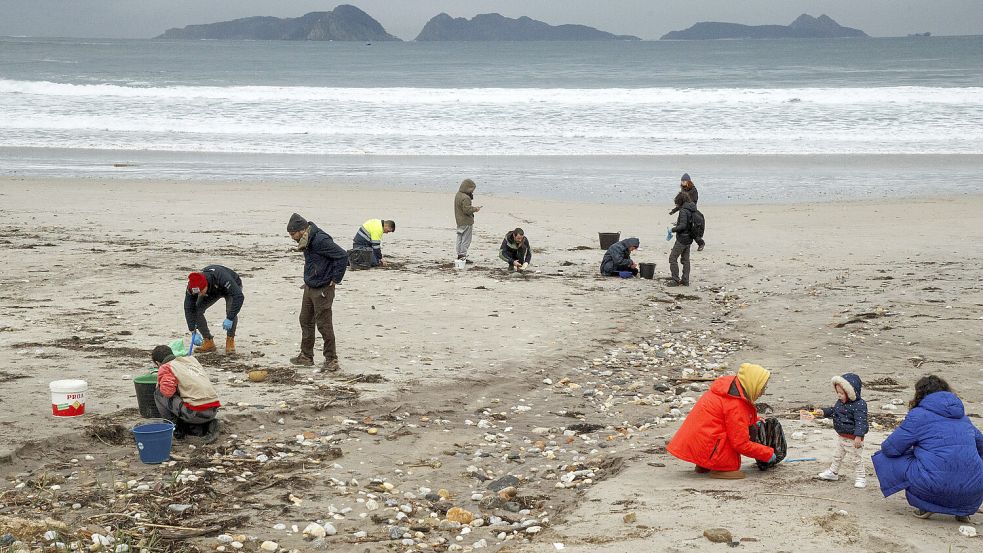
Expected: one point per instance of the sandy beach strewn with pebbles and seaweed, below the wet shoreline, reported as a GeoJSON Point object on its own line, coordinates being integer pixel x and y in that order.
{"type": "Point", "coordinates": [558, 383]}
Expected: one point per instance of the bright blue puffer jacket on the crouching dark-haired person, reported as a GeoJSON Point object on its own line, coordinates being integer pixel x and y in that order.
{"type": "Point", "coordinates": [936, 455]}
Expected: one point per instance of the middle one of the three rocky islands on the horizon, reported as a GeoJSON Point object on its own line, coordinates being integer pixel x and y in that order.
{"type": "Point", "coordinates": [496, 27]}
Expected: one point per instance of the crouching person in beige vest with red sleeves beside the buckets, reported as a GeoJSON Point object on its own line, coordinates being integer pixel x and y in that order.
{"type": "Point", "coordinates": [185, 396]}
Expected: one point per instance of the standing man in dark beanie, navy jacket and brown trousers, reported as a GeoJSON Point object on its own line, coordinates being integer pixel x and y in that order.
{"type": "Point", "coordinates": [324, 267]}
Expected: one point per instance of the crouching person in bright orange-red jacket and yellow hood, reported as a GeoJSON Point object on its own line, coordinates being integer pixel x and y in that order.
{"type": "Point", "coordinates": [715, 433]}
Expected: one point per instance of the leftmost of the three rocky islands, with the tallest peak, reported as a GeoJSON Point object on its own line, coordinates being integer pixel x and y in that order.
{"type": "Point", "coordinates": [344, 23]}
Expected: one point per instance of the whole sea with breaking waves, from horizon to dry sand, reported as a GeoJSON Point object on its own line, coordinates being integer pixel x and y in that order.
{"type": "Point", "coordinates": [611, 120]}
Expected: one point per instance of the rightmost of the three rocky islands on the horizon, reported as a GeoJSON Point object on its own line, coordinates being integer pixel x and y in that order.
{"type": "Point", "coordinates": [805, 26]}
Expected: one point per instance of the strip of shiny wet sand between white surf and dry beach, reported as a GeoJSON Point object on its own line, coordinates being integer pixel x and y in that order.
{"type": "Point", "coordinates": [722, 179]}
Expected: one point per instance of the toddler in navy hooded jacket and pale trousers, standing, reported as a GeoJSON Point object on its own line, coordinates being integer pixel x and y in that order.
{"type": "Point", "coordinates": [849, 416]}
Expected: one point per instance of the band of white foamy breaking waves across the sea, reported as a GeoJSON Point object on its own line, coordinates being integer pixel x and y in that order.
{"type": "Point", "coordinates": [503, 121]}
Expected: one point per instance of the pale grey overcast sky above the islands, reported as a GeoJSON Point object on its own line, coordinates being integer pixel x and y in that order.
{"type": "Point", "coordinates": [648, 19]}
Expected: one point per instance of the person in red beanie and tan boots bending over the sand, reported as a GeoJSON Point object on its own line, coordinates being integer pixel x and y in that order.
{"type": "Point", "coordinates": [204, 289]}
